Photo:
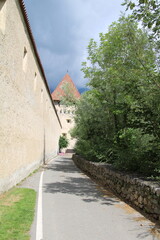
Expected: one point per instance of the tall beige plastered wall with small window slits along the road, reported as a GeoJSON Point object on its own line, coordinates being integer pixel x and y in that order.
{"type": "Point", "coordinates": [29, 126]}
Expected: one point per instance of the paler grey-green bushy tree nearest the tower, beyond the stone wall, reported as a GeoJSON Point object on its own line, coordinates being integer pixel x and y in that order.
{"type": "Point", "coordinates": [91, 130]}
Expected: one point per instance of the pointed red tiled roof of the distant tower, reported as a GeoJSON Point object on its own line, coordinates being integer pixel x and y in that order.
{"type": "Point", "coordinates": [59, 92]}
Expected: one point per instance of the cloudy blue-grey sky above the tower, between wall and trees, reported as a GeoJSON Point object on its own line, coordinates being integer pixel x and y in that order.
{"type": "Point", "coordinates": [62, 30]}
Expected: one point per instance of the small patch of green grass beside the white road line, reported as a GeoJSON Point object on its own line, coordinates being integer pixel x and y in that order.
{"type": "Point", "coordinates": [16, 213]}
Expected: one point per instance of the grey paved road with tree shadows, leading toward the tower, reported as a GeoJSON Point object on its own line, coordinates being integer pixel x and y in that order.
{"type": "Point", "coordinates": [76, 208]}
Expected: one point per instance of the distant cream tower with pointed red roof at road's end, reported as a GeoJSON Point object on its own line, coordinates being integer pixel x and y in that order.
{"type": "Point", "coordinates": [66, 113]}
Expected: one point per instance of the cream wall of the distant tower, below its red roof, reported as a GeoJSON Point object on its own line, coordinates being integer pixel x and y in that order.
{"type": "Point", "coordinates": [66, 115]}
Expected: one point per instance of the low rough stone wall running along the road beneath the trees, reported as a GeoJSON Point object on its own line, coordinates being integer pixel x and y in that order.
{"type": "Point", "coordinates": [143, 194]}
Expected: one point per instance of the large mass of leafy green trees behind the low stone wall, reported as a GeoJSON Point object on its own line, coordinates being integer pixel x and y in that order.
{"type": "Point", "coordinates": [118, 120]}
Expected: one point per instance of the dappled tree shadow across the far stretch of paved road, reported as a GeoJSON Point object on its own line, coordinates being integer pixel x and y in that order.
{"type": "Point", "coordinates": [74, 182]}
